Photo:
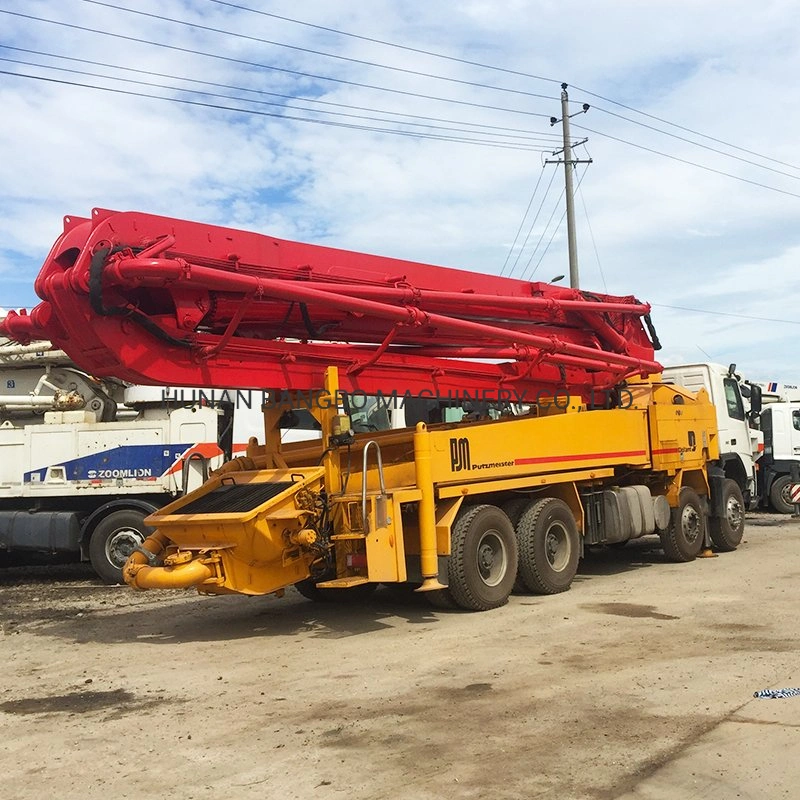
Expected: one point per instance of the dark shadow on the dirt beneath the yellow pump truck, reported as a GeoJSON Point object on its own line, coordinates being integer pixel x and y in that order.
{"type": "Point", "coordinates": [116, 615]}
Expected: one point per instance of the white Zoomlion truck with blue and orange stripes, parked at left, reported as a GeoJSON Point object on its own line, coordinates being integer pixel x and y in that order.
{"type": "Point", "coordinates": [80, 469]}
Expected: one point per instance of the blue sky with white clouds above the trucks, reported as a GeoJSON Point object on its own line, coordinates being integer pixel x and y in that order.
{"type": "Point", "coordinates": [690, 202]}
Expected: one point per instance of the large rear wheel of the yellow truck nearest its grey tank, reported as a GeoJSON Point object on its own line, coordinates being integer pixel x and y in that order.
{"type": "Point", "coordinates": [549, 546]}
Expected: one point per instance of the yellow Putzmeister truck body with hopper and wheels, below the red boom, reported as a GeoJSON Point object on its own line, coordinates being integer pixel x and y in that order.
{"type": "Point", "coordinates": [462, 511]}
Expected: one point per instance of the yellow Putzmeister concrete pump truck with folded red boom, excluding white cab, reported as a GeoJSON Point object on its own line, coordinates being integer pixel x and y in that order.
{"type": "Point", "coordinates": [461, 510]}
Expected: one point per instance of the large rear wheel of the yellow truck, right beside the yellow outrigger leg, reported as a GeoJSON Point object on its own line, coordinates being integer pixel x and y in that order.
{"type": "Point", "coordinates": [483, 561]}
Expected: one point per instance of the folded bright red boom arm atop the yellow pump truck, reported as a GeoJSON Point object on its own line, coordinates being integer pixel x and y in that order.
{"type": "Point", "coordinates": [157, 300]}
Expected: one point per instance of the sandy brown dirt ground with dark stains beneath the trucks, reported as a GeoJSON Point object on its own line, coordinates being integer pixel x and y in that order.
{"type": "Point", "coordinates": [637, 683]}
